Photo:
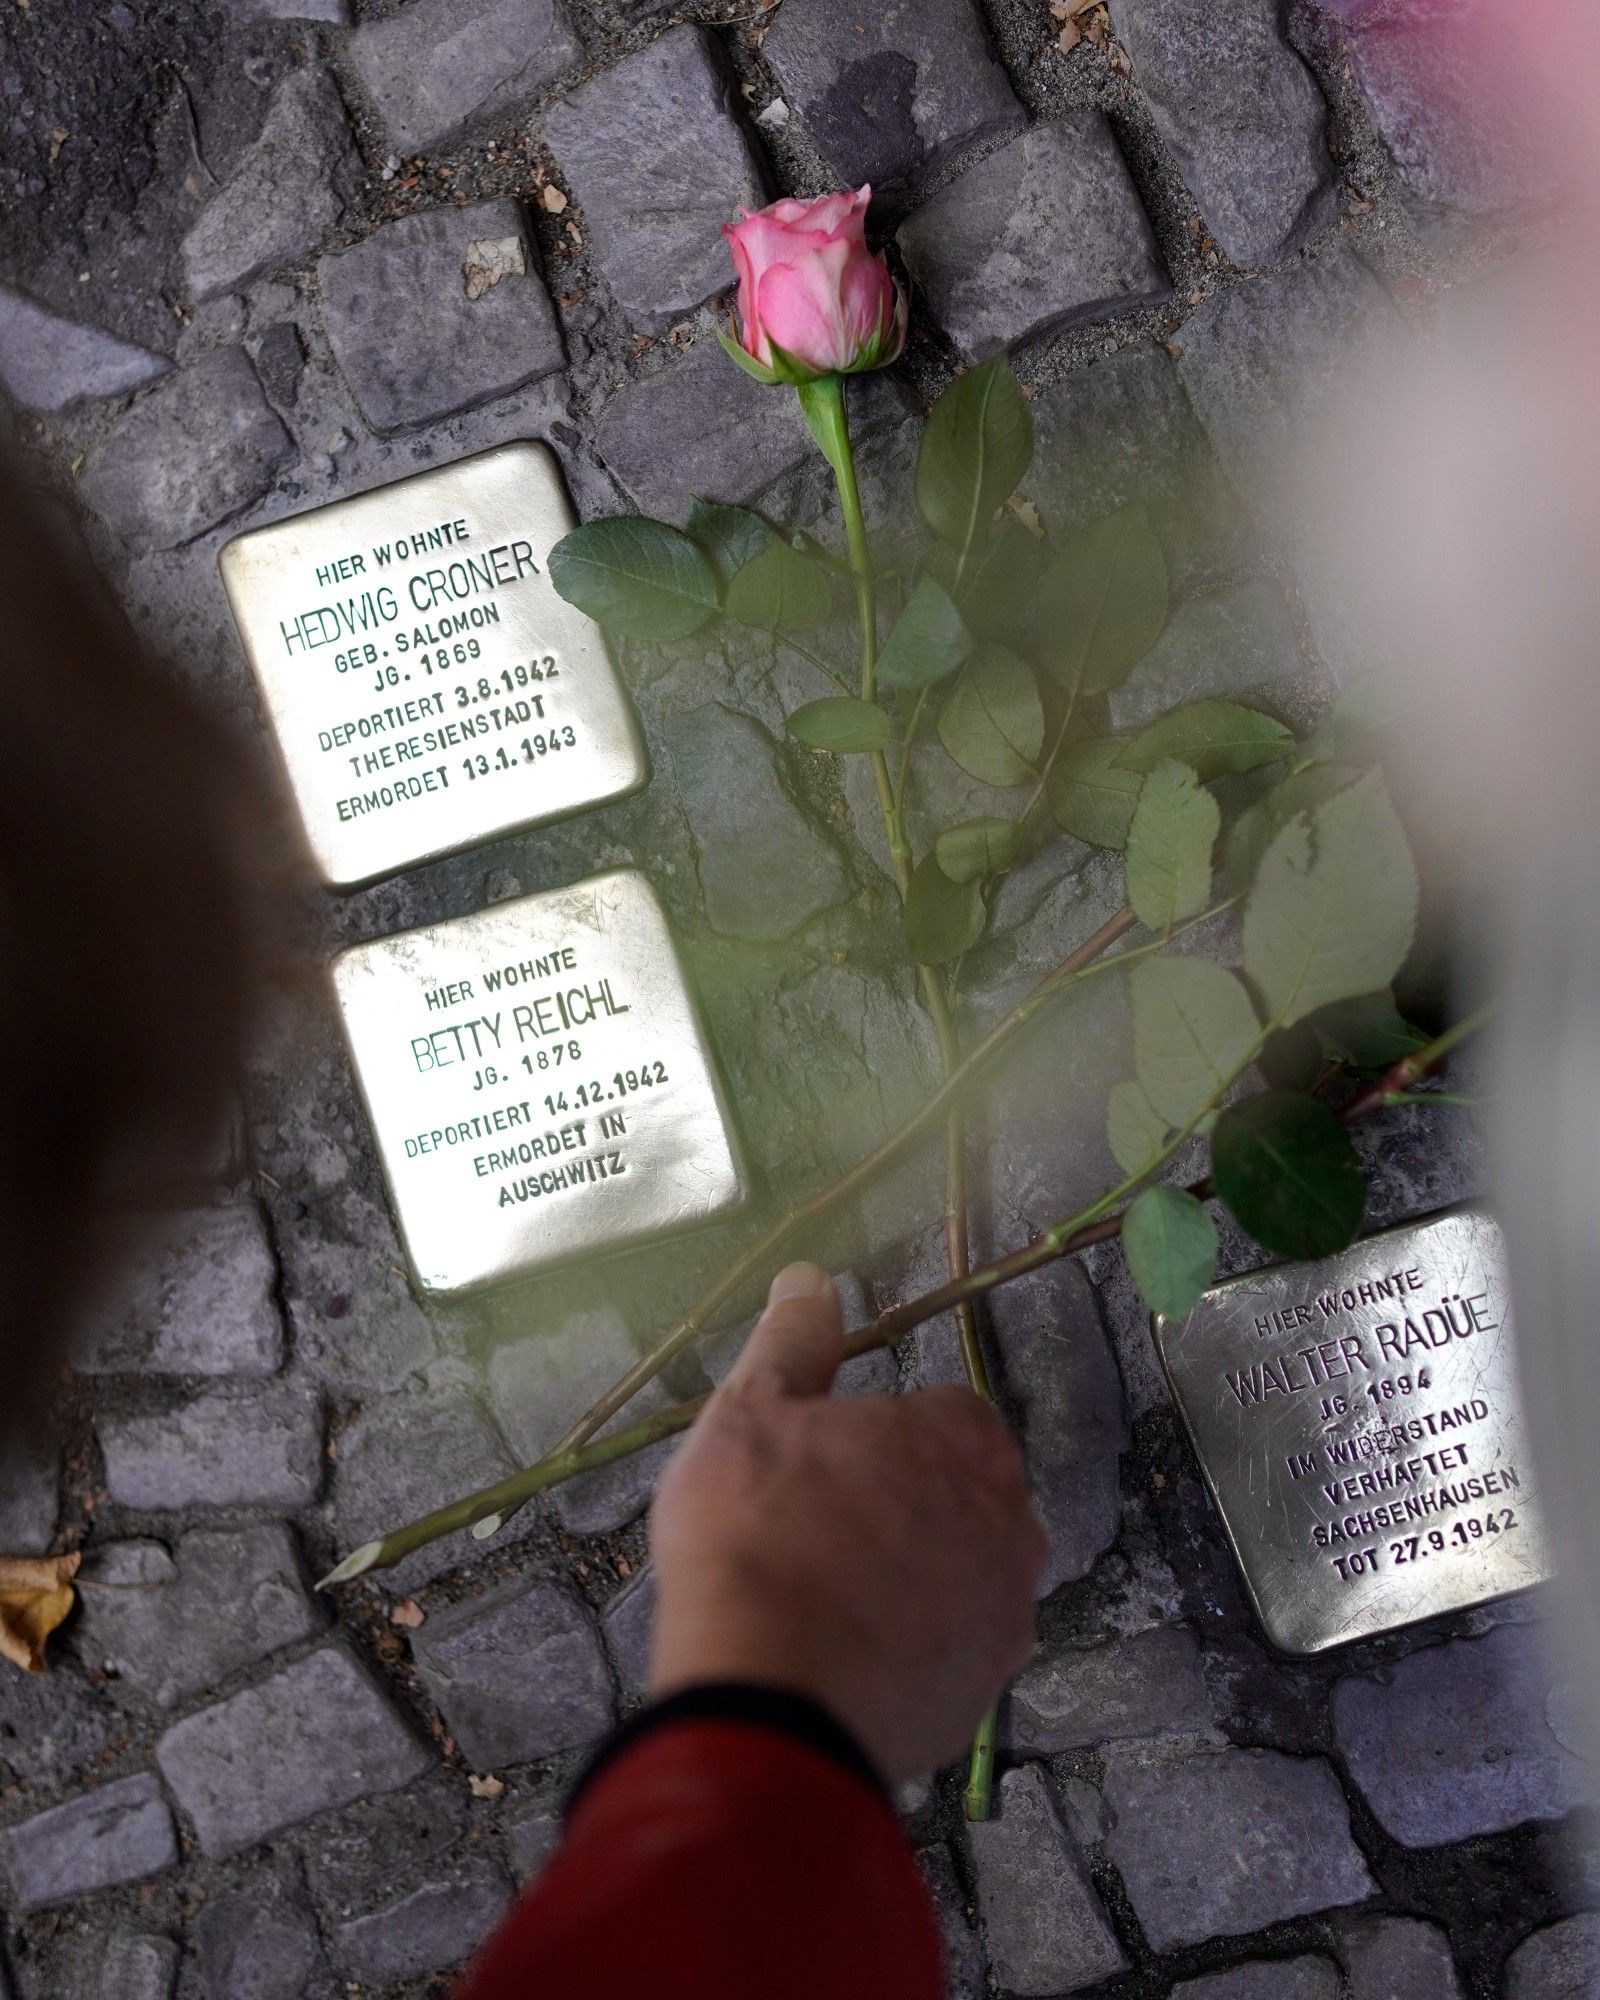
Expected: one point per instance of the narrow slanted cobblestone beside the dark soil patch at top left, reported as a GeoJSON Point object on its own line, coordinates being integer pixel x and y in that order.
{"type": "Point", "coordinates": [283, 197]}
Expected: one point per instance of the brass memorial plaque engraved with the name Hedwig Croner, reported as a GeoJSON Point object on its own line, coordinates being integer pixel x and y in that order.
{"type": "Point", "coordinates": [425, 683]}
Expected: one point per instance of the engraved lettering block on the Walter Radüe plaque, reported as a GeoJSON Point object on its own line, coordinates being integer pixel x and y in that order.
{"type": "Point", "coordinates": [1417, 1463]}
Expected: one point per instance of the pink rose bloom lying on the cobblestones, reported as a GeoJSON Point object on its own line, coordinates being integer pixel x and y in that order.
{"type": "Point", "coordinates": [813, 299]}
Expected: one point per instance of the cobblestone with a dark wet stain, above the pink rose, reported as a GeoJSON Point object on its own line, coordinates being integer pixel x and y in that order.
{"type": "Point", "coordinates": [891, 91]}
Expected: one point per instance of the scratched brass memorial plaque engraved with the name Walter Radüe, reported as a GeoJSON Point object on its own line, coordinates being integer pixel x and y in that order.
{"type": "Point", "coordinates": [1361, 1429]}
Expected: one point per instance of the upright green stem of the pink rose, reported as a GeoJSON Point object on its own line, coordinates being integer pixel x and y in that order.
{"type": "Point", "coordinates": [823, 405]}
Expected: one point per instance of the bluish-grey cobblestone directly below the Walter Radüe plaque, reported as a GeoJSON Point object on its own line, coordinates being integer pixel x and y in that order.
{"type": "Point", "coordinates": [1455, 1741]}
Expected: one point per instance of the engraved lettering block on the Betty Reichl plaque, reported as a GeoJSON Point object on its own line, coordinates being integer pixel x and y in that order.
{"type": "Point", "coordinates": [531, 1041]}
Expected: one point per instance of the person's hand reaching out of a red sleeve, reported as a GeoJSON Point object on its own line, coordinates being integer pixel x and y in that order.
{"type": "Point", "coordinates": [875, 1553]}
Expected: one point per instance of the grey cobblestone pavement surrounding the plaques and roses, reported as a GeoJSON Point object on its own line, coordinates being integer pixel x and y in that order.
{"type": "Point", "coordinates": [239, 237]}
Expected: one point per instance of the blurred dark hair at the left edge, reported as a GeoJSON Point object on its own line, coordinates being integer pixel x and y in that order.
{"type": "Point", "coordinates": [127, 933]}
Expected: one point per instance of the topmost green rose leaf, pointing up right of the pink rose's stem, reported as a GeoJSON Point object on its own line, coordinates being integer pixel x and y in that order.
{"type": "Point", "coordinates": [975, 449]}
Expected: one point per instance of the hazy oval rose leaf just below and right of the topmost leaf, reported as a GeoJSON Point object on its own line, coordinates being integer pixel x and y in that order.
{"type": "Point", "coordinates": [1103, 603]}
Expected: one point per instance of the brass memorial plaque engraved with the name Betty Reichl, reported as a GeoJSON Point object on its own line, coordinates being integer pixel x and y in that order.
{"type": "Point", "coordinates": [539, 1083]}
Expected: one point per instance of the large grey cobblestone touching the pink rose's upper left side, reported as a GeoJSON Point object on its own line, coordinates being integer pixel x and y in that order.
{"type": "Point", "coordinates": [659, 161]}
